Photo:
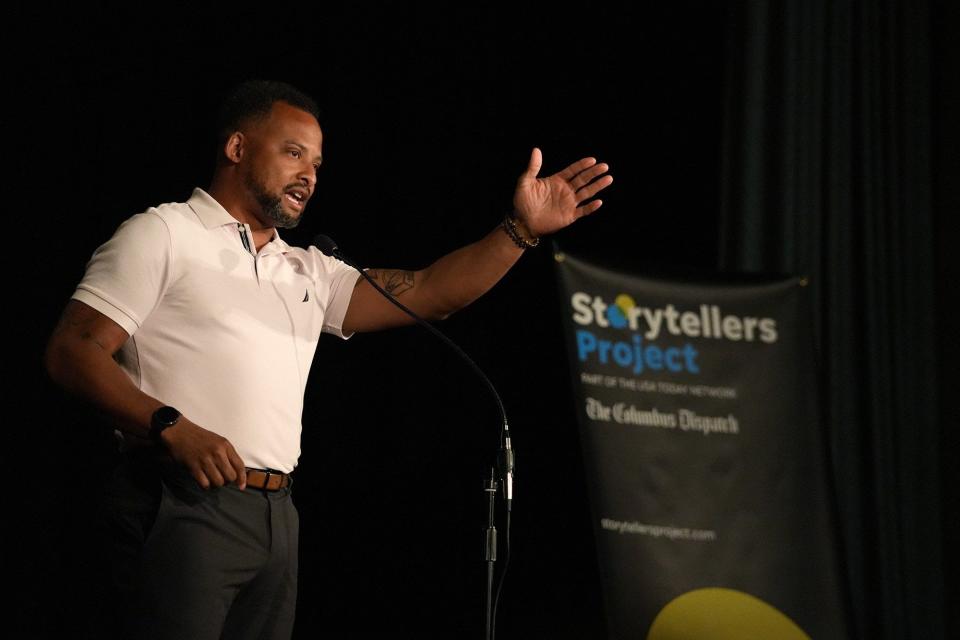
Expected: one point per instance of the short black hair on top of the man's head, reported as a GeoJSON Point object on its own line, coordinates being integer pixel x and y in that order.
{"type": "Point", "coordinates": [253, 99]}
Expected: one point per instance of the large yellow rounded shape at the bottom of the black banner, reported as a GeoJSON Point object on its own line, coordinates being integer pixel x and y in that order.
{"type": "Point", "coordinates": [722, 614]}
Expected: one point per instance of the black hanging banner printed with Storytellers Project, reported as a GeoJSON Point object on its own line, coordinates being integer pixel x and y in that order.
{"type": "Point", "coordinates": [701, 433]}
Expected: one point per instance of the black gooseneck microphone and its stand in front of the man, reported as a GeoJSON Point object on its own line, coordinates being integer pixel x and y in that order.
{"type": "Point", "coordinates": [505, 457]}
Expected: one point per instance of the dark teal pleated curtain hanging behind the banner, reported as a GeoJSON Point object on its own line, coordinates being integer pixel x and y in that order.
{"type": "Point", "coordinates": [828, 169]}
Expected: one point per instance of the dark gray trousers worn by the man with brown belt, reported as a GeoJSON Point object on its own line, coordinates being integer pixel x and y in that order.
{"type": "Point", "coordinates": [199, 564]}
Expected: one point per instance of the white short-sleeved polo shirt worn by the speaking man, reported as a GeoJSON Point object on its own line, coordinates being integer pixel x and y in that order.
{"type": "Point", "coordinates": [224, 335]}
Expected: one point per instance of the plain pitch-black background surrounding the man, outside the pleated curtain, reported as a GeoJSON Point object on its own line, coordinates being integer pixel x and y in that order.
{"type": "Point", "coordinates": [428, 116]}
